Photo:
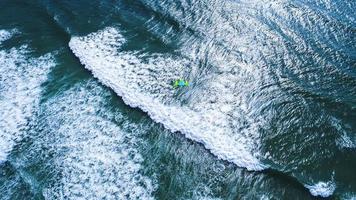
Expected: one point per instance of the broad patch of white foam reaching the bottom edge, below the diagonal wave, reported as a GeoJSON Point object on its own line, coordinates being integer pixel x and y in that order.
{"type": "Point", "coordinates": [97, 156]}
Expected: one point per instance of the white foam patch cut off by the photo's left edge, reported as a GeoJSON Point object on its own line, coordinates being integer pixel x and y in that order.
{"type": "Point", "coordinates": [20, 87]}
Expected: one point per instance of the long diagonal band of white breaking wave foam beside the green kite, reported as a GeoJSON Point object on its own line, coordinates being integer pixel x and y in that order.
{"type": "Point", "coordinates": [145, 83]}
